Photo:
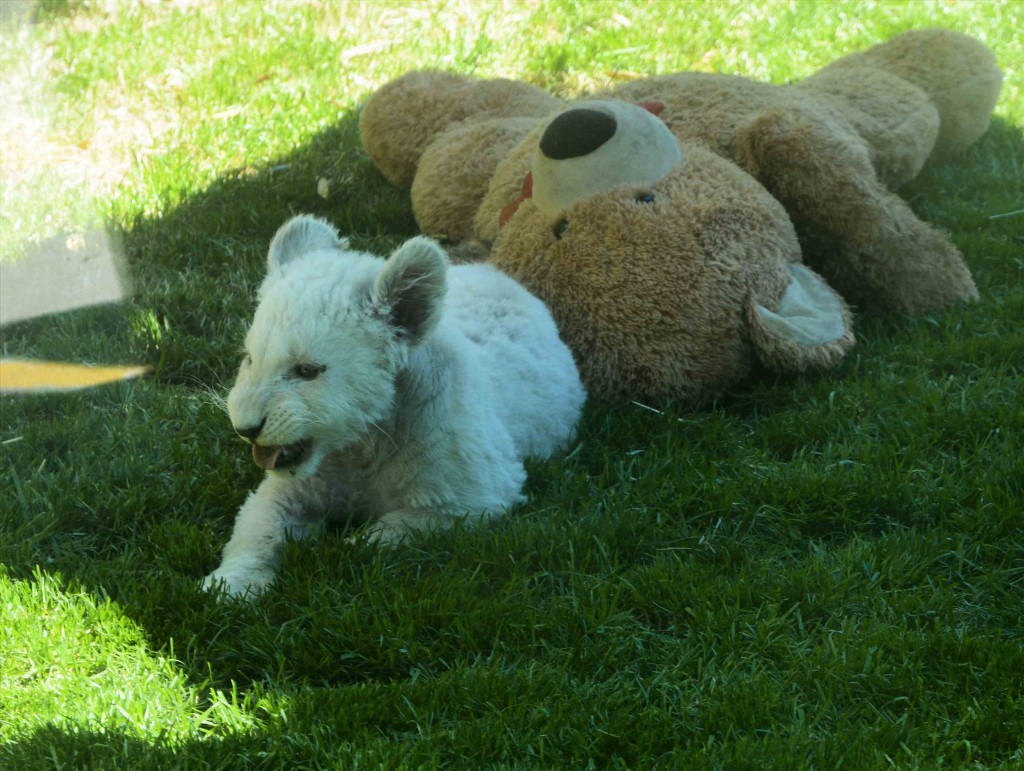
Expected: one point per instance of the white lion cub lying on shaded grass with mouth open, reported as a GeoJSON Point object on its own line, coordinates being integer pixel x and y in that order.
{"type": "Point", "coordinates": [400, 393]}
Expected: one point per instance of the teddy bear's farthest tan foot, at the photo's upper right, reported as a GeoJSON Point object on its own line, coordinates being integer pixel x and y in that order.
{"type": "Point", "coordinates": [959, 74]}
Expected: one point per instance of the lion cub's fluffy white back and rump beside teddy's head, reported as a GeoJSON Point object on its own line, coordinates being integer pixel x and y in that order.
{"type": "Point", "coordinates": [536, 385]}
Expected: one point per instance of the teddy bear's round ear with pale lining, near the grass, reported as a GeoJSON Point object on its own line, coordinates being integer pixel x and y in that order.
{"type": "Point", "coordinates": [810, 329]}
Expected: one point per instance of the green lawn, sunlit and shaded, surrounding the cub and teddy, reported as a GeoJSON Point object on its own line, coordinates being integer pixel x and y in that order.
{"type": "Point", "coordinates": [816, 573]}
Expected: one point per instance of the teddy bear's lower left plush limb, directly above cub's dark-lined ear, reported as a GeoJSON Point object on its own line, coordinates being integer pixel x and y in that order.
{"type": "Point", "coordinates": [456, 170]}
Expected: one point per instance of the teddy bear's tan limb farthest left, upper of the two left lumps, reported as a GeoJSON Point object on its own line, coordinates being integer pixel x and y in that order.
{"type": "Point", "coordinates": [405, 116]}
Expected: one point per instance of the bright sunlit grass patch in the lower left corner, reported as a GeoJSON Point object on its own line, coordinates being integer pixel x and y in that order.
{"type": "Point", "coordinates": [77, 664]}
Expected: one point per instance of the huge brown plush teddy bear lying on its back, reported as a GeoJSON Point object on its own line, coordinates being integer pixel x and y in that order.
{"type": "Point", "coordinates": [659, 221]}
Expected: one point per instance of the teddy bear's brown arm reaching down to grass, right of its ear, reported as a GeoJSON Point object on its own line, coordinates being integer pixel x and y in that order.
{"type": "Point", "coordinates": [868, 242]}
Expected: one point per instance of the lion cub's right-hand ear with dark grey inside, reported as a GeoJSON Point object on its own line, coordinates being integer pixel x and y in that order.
{"type": "Point", "coordinates": [411, 289]}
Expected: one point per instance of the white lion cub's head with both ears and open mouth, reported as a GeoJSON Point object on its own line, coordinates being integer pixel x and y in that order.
{"type": "Point", "coordinates": [332, 330]}
